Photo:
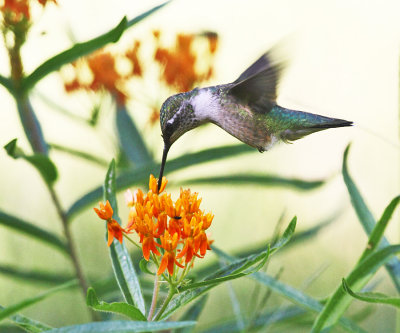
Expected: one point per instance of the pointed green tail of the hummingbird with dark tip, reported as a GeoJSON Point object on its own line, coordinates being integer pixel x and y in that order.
{"type": "Point", "coordinates": [297, 124]}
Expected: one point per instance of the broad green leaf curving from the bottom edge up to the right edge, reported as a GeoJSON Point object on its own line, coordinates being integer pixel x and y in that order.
{"type": "Point", "coordinates": [357, 279]}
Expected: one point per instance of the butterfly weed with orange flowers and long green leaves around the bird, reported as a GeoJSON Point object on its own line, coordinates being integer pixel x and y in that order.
{"type": "Point", "coordinates": [170, 235]}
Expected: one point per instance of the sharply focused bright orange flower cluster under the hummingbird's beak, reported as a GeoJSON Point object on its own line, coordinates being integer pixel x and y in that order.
{"type": "Point", "coordinates": [180, 226]}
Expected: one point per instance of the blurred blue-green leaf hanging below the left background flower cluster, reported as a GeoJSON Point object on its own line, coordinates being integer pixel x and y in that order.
{"type": "Point", "coordinates": [130, 139]}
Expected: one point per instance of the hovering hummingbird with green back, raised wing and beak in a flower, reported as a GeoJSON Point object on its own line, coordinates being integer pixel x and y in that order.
{"type": "Point", "coordinates": [245, 108]}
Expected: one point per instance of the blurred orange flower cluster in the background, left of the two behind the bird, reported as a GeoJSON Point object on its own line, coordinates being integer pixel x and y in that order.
{"type": "Point", "coordinates": [106, 77]}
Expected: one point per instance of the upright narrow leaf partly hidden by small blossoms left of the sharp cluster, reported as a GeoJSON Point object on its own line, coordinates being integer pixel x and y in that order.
{"type": "Point", "coordinates": [124, 271]}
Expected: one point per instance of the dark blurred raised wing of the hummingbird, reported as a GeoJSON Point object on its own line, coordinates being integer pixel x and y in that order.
{"type": "Point", "coordinates": [257, 85]}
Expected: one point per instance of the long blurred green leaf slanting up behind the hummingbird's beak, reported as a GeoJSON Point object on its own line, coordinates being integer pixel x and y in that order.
{"type": "Point", "coordinates": [141, 174]}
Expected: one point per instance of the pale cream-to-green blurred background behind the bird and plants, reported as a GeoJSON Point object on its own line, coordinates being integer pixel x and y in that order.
{"type": "Point", "coordinates": [343, 62]}
